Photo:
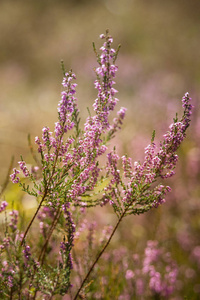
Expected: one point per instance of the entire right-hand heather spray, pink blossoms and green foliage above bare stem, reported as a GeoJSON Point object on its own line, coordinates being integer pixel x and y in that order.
{"type": "Point", "coordinates": [137, 193]}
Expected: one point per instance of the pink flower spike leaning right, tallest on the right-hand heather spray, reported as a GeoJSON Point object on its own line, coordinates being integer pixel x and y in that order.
{"type": "Point", "coordinates": [166, 158]}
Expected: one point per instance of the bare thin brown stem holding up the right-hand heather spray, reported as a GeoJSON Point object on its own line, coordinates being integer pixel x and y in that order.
{"type": "Point", "coordinates": [100, 254]}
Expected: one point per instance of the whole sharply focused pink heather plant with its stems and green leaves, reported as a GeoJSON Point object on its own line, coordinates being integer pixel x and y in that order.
{"type": "Point", "coordinates": [70, 175]}
